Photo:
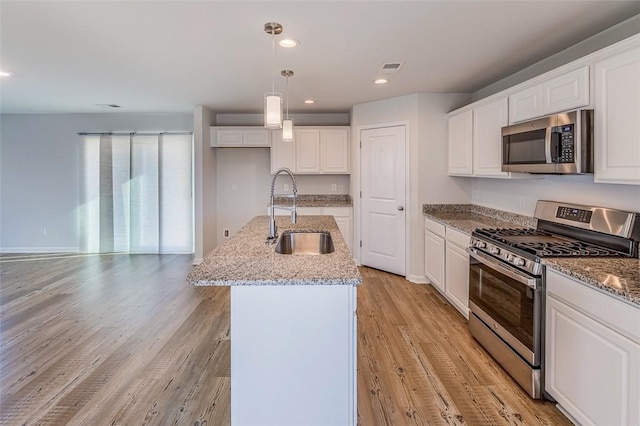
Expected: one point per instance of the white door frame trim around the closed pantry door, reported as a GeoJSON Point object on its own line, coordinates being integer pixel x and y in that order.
{"type": "Point", "coordinates": [356, 186]}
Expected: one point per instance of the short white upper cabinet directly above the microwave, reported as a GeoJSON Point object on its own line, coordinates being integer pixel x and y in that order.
{"type": "Point", "coordinates": [565, 92]}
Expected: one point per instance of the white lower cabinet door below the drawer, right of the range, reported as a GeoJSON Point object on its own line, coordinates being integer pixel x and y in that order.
{"type": "Point", "coordinates": [592, 371]}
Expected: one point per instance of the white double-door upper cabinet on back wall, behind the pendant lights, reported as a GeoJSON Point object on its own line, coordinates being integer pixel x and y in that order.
{"type": "Point", "coordinates": [313, 150]}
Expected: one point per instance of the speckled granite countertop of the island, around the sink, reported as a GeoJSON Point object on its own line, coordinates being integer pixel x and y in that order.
{"type": "Point", "coordinates": [246, 258]}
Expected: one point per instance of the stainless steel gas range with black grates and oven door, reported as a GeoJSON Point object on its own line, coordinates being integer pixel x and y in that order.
{"type": "Point", "coordinates": [506, 278]}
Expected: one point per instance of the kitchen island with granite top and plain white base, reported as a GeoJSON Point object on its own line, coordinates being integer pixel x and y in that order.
{"type": "Point", "coordinates": [293, 326]}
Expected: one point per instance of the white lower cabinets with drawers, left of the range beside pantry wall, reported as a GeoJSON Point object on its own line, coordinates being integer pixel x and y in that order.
{"type": "Point", "coordinates": [447, 263]}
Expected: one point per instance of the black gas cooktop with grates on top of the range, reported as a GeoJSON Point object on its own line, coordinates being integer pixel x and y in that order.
{"type": "Point", "coordinates": [544, 244]}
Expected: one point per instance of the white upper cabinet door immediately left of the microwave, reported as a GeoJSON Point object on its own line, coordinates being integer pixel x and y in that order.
{"type": "Point", "coordinates": [488, 121]}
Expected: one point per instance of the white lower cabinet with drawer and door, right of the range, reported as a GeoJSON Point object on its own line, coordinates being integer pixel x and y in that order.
{"type": "Point", "coordinates": [592, 353]}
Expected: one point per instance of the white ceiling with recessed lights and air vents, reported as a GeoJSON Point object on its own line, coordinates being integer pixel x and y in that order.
{"type": "Point", "coordinates": [161, 56]}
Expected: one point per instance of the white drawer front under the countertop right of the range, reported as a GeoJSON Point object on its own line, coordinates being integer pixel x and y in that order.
{"type": "Point", "coordinates": [615, 314]}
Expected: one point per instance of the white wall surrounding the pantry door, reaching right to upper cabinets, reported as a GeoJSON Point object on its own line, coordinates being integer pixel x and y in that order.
{"type": "Point", "coordinates": [428, 182]}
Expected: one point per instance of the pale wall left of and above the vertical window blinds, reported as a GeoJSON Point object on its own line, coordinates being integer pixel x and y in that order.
{"type": "Point", "coordinates": [39, 173]}
